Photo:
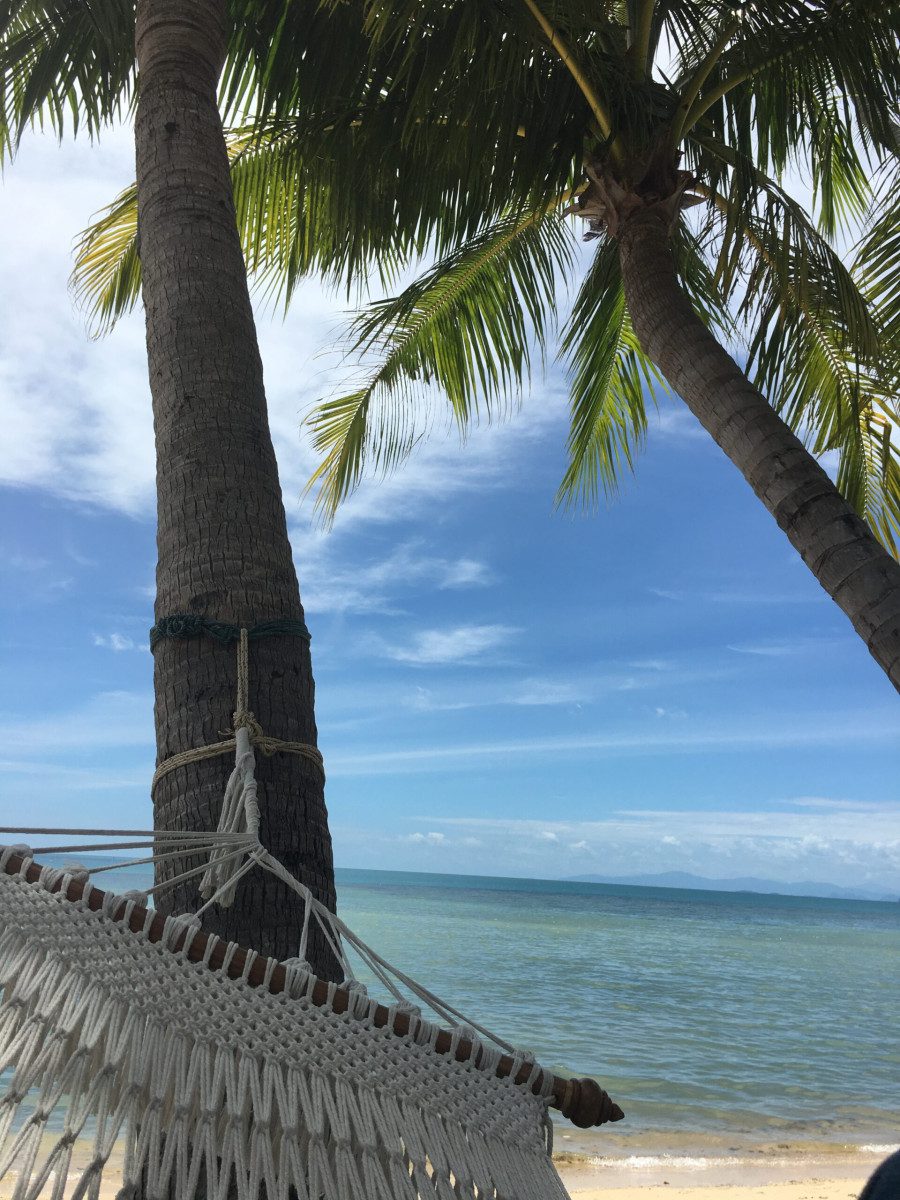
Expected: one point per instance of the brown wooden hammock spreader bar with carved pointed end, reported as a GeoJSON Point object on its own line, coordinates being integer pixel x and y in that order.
{"type": "Point", "coordinates": [583, 1101]}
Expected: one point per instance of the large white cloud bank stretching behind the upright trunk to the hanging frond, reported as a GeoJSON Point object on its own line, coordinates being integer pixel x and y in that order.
{"type": "Point", "coordinates": [79, 421]}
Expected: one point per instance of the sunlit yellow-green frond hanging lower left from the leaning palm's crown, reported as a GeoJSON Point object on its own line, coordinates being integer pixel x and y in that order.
{"type": "Point", "coordinates": [467, 326]}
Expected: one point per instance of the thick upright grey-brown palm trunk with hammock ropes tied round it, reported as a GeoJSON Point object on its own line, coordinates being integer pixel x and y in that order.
{"type": "Point", "coordinates": [224, 549]}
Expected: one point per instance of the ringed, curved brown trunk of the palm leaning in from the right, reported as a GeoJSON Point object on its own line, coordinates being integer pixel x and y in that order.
{"type": "Point", "coordinates": [836, 544]}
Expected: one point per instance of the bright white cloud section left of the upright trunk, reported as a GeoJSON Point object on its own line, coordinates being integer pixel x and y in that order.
{"type": "Point", "coordinates": [77, 421]}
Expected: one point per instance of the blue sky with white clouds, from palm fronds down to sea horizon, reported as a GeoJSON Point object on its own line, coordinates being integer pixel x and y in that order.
{"type": "Point", "coordinates": [502, 689]}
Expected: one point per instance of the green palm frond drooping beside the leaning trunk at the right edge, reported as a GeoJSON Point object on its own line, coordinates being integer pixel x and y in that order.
{"type": "Point", "coordinates": [815, 346]}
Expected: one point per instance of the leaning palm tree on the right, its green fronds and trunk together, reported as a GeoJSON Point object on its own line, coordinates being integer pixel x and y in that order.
{"type": "Point", "coordinates": [472, 135]}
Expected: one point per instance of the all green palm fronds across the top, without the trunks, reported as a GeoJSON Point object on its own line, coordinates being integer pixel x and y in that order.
{"type": "Point", "coordinates": [386, 131]}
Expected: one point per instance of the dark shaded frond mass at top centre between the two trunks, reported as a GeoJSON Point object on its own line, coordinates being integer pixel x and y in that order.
{"type": "Point", "coordinates": [434, 121]}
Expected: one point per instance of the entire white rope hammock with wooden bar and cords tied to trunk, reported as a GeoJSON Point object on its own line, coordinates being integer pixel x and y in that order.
{"type": "Point", "coordinates": [229, 1073]}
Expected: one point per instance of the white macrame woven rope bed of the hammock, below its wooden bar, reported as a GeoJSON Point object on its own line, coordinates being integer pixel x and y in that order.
{"type": "Point", "coordinates": [226, 1090]}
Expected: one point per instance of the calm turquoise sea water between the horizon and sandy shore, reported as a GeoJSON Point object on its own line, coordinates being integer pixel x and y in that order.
{"type": "Point", "coordinates": [718, 1021]}
